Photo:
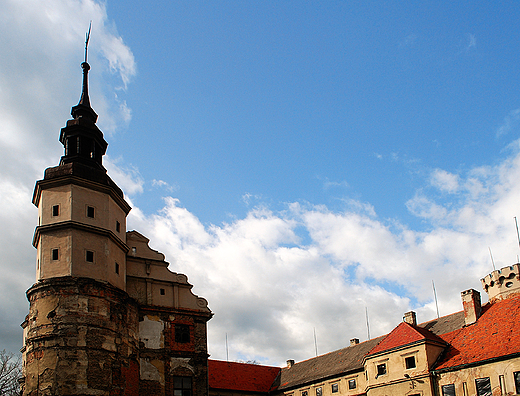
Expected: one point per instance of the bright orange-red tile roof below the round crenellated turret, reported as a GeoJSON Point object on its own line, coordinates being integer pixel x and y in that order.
{"type": "Point", "coordinates": [495, 334]}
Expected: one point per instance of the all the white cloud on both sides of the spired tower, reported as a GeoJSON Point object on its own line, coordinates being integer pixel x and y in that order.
{"type": "Point", "coordinates": [271, 278]}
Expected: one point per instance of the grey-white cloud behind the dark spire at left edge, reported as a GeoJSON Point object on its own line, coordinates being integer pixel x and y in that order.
{"type": "Point", "coordinates": [41, 49]}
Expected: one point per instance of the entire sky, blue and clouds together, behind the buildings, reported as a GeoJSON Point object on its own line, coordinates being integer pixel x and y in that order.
{"type": "Point", "coordinates": [300, 161]}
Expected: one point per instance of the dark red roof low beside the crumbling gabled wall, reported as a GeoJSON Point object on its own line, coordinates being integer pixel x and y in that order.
{"type": "Point", "coordinates": [241, 376]}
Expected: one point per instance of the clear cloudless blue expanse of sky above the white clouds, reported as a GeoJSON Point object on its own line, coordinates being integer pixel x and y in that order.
{"type": "Point", "coordinates": [317, 102]}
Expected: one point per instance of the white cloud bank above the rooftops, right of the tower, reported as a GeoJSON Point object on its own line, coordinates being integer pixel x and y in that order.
{"type": "Point", "coordinates": [270, 289]}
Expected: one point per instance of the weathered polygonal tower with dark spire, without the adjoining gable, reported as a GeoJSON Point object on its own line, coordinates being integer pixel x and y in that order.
{"type": "Point", "coordinates": [80, 336]}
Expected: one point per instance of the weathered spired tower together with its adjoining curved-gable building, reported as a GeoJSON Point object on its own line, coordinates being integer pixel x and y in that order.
{"type": "Point", "coordinates": [106, 315]}
